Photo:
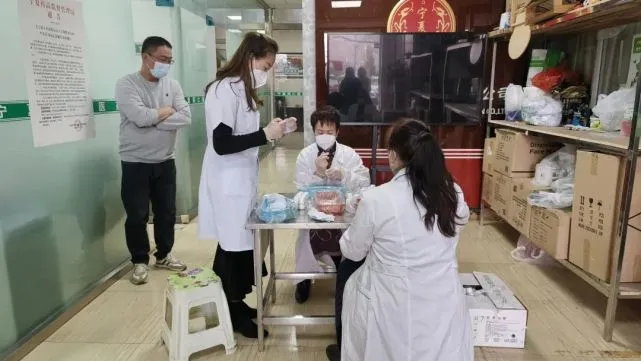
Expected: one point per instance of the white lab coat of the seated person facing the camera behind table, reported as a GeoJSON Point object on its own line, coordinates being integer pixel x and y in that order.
{"type": "Point", "coordinates": [355, 177]}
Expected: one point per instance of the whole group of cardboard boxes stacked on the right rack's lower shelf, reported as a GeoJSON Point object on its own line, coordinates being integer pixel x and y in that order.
{"type": "Point", "coordinates": [583, 235]}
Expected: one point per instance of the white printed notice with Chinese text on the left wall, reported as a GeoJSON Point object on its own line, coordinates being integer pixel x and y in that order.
{"type": "Point", "coordinates": [60, 105]}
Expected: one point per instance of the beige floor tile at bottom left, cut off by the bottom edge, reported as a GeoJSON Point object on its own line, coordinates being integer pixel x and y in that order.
{"type": "Point", "coordinates": [51, 351]}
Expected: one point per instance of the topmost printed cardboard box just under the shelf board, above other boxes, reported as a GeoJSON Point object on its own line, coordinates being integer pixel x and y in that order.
{"type": "Point", "coordinates": [517, 154]}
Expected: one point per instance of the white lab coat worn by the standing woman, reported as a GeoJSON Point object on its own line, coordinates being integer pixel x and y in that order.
{"type": "Point", "coordinates": [228, 183]}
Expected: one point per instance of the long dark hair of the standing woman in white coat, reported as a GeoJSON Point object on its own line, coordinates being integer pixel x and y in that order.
{"type": "Point", "coordinates": [254, 45]}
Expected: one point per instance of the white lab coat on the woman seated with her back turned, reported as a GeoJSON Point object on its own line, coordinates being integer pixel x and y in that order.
{"type": "Point", "coordinates": [406, 303]}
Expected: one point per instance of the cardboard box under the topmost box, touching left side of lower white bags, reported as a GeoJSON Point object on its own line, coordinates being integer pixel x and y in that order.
{"type": "Point", "coordinates": [519, 210]}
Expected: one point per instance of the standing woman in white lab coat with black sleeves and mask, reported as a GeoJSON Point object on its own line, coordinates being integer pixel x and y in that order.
{"type": "Point", "coordinates": [229, 178]}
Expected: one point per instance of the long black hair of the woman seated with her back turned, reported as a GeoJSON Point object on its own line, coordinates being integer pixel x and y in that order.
{"type": "Point", "coordinates": [432, 184]}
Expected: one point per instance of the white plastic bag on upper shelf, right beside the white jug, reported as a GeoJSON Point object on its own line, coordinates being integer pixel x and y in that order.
{"type": "Point", "coordinates": [539, 108]}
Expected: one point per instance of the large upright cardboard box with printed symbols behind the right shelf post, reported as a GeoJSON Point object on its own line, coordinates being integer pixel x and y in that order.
{"type": "Point", "coordinates": [595, 212]}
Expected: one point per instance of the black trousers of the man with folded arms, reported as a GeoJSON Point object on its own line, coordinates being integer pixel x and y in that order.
{"type": "Point", "coordinates": [143, 183]}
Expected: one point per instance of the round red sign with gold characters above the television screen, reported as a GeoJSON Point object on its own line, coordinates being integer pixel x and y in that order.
{"type": "Point", "coordinates": [422, 16]}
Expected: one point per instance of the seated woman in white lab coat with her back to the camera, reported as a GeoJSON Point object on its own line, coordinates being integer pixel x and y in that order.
{"type": "Point", "coordinates": [406, 302]}
